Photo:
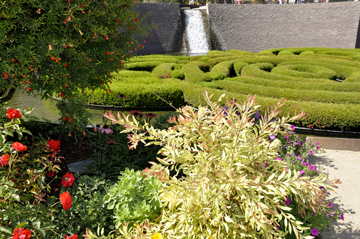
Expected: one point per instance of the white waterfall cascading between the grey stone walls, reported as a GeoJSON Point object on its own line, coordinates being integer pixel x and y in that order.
{"type": "Point", "coordinates": [195, 37]}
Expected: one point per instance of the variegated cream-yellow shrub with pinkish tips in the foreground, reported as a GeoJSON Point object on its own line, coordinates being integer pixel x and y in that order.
{"type": "Point", "coordinates": [234, 185]}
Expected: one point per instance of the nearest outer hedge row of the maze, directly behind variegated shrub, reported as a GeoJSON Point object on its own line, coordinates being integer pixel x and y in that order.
{"type": "Point", "coordinates": [319, 115]}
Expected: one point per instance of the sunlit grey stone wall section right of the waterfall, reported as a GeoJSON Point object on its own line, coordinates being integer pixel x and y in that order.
{"type": "Point", "coordinates": [256, 27]}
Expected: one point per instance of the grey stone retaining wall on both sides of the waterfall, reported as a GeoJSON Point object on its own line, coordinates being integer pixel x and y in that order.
{"type": "Point", "coordinates": [256, 27]}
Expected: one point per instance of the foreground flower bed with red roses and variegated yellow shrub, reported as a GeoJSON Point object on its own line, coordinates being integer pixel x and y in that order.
{"type": "Point", "coordinates": [198, 179]}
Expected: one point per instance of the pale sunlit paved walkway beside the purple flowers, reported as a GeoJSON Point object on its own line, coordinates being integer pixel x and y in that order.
{"type": "Point", "coordinates": [345, 165]}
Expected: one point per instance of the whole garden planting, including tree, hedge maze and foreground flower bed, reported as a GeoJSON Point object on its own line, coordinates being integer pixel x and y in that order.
{"type": "Point", "coordinates": [226, 163]}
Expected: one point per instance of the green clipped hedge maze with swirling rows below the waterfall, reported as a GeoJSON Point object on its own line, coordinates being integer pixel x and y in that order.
{"type": "Point", "coordinates": [323, 82]}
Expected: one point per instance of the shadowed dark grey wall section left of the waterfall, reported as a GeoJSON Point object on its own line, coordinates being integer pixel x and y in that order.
{"type": "Point", "coordinates": [167, 18]}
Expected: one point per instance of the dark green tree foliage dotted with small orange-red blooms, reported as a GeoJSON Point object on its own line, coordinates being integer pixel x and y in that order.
{"type": "Point", "coordinates": [62, 46]}
